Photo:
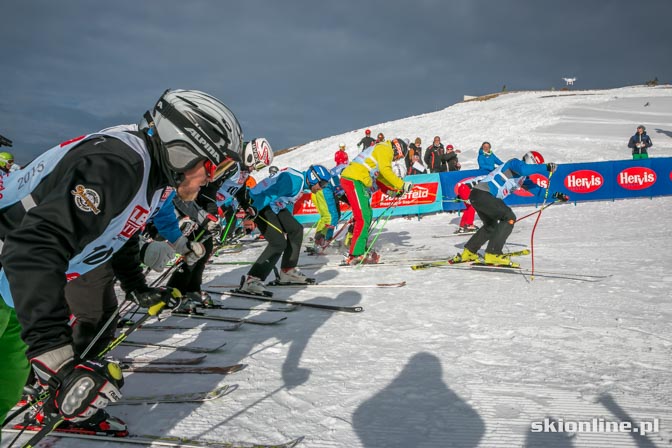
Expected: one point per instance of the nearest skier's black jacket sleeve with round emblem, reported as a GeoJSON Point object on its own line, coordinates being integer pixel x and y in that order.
{"type": "Point", "coordinates": [37, 249]}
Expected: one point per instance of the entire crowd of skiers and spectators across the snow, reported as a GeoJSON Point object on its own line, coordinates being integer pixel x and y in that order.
{"type": "Point", "coordinates": [97, 208]}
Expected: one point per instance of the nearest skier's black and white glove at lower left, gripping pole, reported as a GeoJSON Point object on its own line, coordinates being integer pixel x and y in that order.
{"type": "Point", "coordinates": [78, 389]}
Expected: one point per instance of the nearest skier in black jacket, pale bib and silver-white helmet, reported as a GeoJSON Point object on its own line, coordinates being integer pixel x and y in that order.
{"type": "Point", "coordinates": [86, 199]}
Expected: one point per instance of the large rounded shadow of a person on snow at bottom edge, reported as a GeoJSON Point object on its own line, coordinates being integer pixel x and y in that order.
{"type": "Point", "coordinates": [417, 409]}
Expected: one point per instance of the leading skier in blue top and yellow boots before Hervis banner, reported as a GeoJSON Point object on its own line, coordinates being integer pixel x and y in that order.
{"type": "Point", "coordinates": [487, 197]}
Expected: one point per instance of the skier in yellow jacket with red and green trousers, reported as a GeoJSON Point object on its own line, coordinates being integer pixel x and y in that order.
{"type": "Point", "coordinates": [372, 168]}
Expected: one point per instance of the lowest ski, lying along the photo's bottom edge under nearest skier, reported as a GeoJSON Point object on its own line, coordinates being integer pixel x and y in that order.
{"type": "Point", "coordinates": [166, 441]}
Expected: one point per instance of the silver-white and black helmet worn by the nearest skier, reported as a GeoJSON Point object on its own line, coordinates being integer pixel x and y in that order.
{"type": "Point", "coordinates": [193, 126]}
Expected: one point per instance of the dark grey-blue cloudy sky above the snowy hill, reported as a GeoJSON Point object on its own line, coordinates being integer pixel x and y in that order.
{"type": "Point", "coordinates": [299, 71]}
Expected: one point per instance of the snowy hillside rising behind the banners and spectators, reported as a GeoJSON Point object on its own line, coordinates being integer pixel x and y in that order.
{"type": "Point", "coordinates": [566, 126]}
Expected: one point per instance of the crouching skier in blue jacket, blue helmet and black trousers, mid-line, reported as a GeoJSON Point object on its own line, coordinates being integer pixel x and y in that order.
{"type": "Point", "coordinates": [271, 203]}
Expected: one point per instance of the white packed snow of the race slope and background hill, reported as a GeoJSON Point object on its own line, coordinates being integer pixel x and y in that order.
{"type": "Point", "coordinates": [457, 357]}
